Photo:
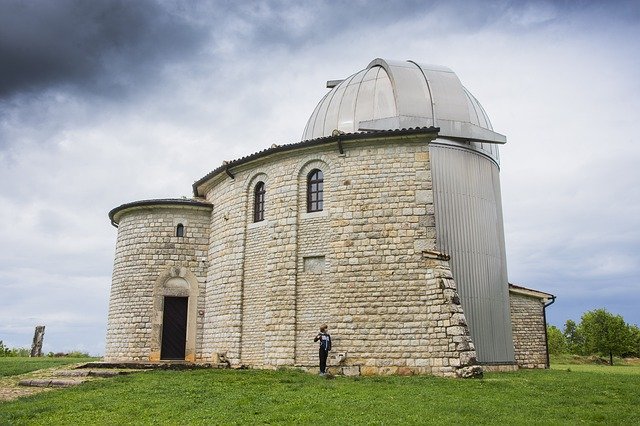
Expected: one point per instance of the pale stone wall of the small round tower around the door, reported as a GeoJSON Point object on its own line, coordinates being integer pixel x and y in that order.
{"type": "Point", "coordinates": [151, 262]}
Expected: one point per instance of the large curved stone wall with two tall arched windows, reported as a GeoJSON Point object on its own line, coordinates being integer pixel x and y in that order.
{"type": "Point", "coordinates": [359, 265]}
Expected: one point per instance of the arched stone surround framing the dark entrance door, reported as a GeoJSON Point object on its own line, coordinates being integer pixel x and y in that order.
{"type": "Point", "coordinates": [176, 282]}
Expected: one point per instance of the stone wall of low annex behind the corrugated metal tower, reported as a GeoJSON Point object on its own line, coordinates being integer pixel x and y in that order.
{"type": "Point", "coordinates": [529, 337]}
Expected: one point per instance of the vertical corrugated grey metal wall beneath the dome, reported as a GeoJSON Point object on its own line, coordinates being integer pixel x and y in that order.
{"type": "Point", "coordinates": [468, 212]}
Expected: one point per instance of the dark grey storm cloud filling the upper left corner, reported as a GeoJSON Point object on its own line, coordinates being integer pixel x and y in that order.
{"type": "Point", "coordinates": [100, 45]}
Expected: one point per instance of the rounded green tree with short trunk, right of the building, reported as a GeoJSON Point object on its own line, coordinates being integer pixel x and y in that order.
{"type": "Point", "coordinates": [604, 333]}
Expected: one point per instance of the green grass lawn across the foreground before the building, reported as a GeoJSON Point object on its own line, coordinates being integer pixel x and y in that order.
{"type": "Point", "coordinates": [291, 397]}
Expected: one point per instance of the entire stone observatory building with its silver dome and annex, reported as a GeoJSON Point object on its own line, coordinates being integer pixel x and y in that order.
{"type": "Point", "coordinates": [385, 222]}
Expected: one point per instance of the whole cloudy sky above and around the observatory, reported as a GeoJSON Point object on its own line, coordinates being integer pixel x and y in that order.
{"type": "Point", "coordinates": [105, 102]}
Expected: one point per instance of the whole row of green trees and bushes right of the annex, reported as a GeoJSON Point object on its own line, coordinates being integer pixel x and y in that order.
{"type": "Point", "coordinates": [598, 333]}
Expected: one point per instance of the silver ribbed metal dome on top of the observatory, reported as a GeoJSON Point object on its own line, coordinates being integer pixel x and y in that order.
{"type": "Point", "coordinates": [395, 95]}
